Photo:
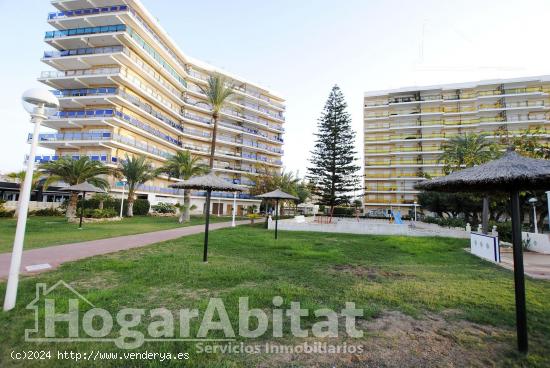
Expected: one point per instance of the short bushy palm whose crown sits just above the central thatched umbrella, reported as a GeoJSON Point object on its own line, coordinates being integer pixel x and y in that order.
{"type": "Point", "coordinates": [183, 165]}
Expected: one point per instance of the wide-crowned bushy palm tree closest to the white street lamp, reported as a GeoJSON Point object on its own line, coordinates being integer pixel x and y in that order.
{"type": "Point", "coordinates": [74, 172]}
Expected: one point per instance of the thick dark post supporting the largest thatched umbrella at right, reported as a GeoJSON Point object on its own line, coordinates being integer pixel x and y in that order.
{"type": "Point", "coordinates": [519, 277]}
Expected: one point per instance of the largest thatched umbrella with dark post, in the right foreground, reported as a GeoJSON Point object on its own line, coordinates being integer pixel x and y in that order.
{"type": "Point", "coordinates": [511, 173]}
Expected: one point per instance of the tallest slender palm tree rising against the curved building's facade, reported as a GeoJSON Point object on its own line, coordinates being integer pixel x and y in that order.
{"type": "Point", "coordinates": [217, 92]}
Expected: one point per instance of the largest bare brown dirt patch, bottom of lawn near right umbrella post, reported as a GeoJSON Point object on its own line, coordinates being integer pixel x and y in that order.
{"type": "Point", "coordinates": [397, 340]}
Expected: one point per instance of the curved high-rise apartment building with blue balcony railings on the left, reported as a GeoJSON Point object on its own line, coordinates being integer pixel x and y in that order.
{"type": "Point", "coordinates": [126, 88]}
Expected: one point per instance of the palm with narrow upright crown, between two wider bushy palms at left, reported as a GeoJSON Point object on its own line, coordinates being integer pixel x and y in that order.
{"type": "Point", "coordinates": [137, 170]}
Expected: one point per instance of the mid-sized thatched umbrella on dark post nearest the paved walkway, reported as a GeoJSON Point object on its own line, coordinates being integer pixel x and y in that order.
{"type": "Point", "coordinates": [209, 182]}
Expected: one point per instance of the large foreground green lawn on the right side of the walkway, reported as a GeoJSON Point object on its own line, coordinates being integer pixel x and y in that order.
{"type": "Point", "coordinates": [431, 280]}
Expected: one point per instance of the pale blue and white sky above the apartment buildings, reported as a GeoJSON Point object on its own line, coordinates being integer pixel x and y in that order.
{"type": "Point", "coordinates": [302, 48]}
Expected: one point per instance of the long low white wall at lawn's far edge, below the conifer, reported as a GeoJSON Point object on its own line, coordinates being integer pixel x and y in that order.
{"type": "Point", "coordinates": [372, 227]}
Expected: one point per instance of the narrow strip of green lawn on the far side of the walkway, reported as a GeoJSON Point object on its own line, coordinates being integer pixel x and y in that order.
{"type": "Point", "coordinates": [46, 231]}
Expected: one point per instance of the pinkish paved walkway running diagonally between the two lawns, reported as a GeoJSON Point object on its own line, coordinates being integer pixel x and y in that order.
{"type": "Point", "coordinates": [58, 254]}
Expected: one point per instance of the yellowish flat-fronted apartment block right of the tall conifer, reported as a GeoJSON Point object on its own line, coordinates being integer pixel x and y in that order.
{"type": "Point", "coordinates": [405, 128]}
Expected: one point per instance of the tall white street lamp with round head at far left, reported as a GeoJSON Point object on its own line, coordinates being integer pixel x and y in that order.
{"type": "Point", "coordinates": [39, 103]}
